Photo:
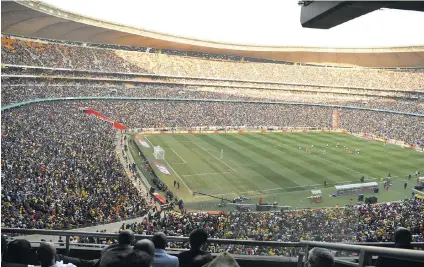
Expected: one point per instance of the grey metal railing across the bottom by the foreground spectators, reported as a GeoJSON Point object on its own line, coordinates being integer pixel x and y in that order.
{"type": "Point", "coordinates": [365, 250]}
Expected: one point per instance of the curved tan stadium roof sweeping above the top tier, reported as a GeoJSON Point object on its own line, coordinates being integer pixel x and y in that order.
{"type": "Point", "coordinates": [40, 20]}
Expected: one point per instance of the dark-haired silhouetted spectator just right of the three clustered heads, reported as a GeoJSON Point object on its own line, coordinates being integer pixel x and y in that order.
{"type": "Point", "coordinates": [195, 257]}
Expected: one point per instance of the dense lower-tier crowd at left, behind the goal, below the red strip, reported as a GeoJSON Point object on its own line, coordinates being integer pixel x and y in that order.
{"type": "Point", "coordinates": [60, 170]}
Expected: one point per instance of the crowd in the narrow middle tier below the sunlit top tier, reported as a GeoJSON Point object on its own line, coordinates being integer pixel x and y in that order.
{"type": "Point", "coordinates": [17, 91]}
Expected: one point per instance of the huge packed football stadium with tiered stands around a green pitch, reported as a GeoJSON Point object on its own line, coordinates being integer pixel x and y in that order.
{"type": "Point", "coordinates": [268, 151]}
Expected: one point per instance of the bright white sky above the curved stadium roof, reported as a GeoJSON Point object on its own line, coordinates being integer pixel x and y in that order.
{"type": "Point", "coordinates": [253, 22]}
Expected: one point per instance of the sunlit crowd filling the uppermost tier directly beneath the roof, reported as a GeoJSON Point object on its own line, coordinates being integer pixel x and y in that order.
{"type": "Point", "coordinates": [32, 53]}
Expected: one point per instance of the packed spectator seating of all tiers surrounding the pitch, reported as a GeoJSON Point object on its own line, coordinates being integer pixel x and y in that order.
{"type": "Point", "coordinates": [61, 169]}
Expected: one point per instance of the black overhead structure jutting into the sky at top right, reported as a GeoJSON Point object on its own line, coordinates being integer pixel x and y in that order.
{"type": "Point", "coordinates": [328, 14]}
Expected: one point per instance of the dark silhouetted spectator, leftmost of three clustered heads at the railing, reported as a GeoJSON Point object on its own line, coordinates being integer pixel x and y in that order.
{"type": "Point", "coordinates": [113, 255]}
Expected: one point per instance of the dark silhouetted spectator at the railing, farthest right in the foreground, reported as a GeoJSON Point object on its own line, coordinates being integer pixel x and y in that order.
{"type": "Point", "coordinates": [403, 239]}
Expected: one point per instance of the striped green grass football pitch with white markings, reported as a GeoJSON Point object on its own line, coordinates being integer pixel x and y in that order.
{"type": "Point", "coordinates": [272, 167]}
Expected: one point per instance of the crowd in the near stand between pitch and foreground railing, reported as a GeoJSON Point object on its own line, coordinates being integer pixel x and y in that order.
{"type": "Point", "coordinates": [362, 223]}
